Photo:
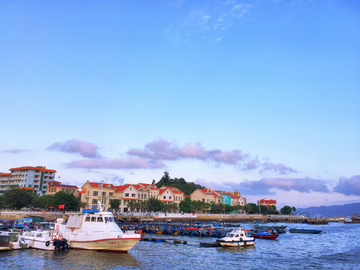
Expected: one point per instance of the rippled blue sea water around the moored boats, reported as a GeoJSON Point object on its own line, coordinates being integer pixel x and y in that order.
{"type": "Point", "coordinates": [338, 247]}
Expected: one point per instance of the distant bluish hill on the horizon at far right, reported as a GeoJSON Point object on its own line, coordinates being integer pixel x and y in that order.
{"type": "Point", "coordinates": [333, 210]}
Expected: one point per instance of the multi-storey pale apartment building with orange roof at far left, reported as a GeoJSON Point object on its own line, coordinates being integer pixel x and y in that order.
{"type": "Point", "coordinates": [35, 179]}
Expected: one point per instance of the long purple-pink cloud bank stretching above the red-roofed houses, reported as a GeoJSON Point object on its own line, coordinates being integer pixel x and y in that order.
{"type": "Point", "coordinates": [154, 153]}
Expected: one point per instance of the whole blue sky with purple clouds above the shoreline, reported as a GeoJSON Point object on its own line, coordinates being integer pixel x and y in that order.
{"type": "Point", "coordinates": [256, 96]}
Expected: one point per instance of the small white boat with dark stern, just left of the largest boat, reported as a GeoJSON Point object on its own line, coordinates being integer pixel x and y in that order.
{"type": "Point", "coordinates": [44, 239]}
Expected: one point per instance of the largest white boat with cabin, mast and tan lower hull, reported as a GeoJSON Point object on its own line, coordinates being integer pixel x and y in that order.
{"type": "Point", "coordinates": [95, 231]}
